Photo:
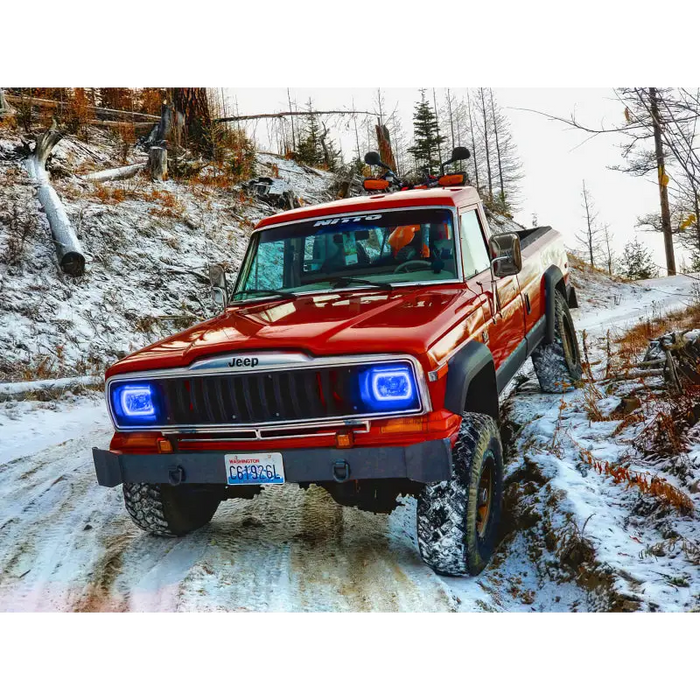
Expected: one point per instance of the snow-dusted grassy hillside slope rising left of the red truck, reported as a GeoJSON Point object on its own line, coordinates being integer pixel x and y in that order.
{"type": "Point", "coordinates": [147, 245]}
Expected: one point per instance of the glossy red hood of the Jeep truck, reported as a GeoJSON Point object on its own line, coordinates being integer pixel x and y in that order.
{"type": "Point", "coordinates": [337, 323]}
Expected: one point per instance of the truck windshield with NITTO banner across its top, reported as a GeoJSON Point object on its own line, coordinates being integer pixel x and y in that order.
{"type": "Point", "coordinates": [379, 249]}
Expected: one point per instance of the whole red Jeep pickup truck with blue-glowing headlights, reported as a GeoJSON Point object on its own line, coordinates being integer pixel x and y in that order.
{"type": "Point", "coordinates": [363, 349]}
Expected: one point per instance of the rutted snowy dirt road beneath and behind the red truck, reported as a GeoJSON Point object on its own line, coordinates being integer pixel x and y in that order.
{"type": "Point", "coordinates": [68, 546]}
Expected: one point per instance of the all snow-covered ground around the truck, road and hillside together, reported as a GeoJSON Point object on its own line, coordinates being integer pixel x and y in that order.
{"type": "Point", "coordinates": [573, 540]}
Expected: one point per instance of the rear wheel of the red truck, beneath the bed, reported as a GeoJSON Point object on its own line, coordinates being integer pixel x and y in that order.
{"type": "Point", "coordinates": [558, 364]}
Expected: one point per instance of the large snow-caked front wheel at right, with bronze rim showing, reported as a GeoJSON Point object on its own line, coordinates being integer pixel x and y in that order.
{"type": "Point", "coordinates": [457, 519]}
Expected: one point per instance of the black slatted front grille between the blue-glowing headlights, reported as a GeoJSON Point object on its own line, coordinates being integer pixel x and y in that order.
{"type": "Point", "coordinates": [261, 397]}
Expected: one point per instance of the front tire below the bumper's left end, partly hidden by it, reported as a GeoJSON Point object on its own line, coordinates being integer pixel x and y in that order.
{"type": "Point", "coordinates": [171, 511]}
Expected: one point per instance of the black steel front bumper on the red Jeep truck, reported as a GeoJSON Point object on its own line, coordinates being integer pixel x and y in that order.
{"type": "Point", "coordinates": [424, 462]}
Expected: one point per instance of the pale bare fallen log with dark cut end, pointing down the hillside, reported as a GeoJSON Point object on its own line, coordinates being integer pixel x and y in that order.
{"type": "Point", "coordinates": [68, 248]}
